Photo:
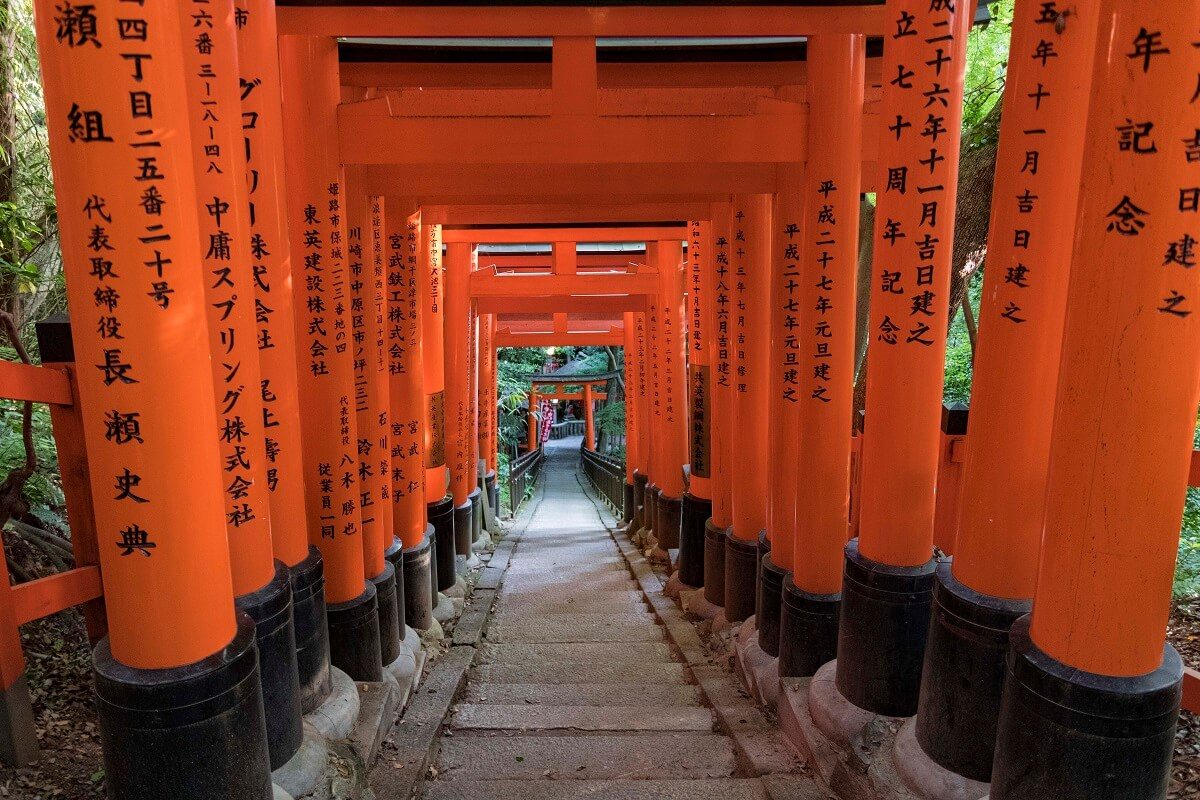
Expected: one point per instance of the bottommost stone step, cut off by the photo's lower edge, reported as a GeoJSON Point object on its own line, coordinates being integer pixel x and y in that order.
{"type": "Point", "coordinates": [683, 790]}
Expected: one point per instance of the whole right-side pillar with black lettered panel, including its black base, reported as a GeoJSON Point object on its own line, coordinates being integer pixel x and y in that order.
{"type": "Point", "coordinates": [698, 503]}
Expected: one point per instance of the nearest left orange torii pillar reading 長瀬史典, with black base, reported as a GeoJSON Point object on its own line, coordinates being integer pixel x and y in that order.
{"type": "Point", "coordinates": [177, 678]}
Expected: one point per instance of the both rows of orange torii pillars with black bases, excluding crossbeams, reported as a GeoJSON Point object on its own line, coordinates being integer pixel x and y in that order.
{"type": "Point", "coordinates": [344, 380]}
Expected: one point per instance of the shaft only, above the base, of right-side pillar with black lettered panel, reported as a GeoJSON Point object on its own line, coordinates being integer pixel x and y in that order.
{"type": "Point", "coordinates": [700, 371]}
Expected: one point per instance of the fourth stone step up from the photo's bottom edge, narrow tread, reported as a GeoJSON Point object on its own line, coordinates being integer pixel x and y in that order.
{"type": "Point", "coordinates": [638, 694]}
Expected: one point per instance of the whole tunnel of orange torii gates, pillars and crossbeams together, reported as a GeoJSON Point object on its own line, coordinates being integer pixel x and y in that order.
{"type": "Point", "coordinates": [274, 225]}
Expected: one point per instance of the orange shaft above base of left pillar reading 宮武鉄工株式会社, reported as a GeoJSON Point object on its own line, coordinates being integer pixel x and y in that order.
{"type": "Point", "coordinates": [406, 374]}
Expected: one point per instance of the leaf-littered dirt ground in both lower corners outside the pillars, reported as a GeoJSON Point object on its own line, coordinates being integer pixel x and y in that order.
{"type": "Point", "coordinates": [59, 672]}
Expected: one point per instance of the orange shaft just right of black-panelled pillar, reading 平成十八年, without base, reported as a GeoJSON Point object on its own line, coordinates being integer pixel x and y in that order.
{"type": "Point", "coordinates": [719, 284]}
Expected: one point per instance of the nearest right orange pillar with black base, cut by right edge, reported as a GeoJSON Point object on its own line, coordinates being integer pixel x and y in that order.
{"type": "Point", "coordinates": [1093, 694]}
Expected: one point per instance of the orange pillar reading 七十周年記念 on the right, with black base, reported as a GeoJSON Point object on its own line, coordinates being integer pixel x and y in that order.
{"type": "Point", "coordinates": [889, 580]}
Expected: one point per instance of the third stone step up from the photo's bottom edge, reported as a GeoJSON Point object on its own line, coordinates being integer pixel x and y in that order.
{"type": "Point", "coordinates": [581, 718]}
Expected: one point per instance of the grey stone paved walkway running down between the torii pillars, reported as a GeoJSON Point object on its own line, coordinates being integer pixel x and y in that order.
{"type": "Point", "coordinates": [575, 693]}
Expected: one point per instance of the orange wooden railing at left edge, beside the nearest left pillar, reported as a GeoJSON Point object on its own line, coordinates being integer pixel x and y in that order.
{"type": "Point", "coordinates": [53, 384]}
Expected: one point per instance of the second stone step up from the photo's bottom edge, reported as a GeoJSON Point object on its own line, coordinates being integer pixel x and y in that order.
{"type": "Point", "coordinates": [583, 757]}
